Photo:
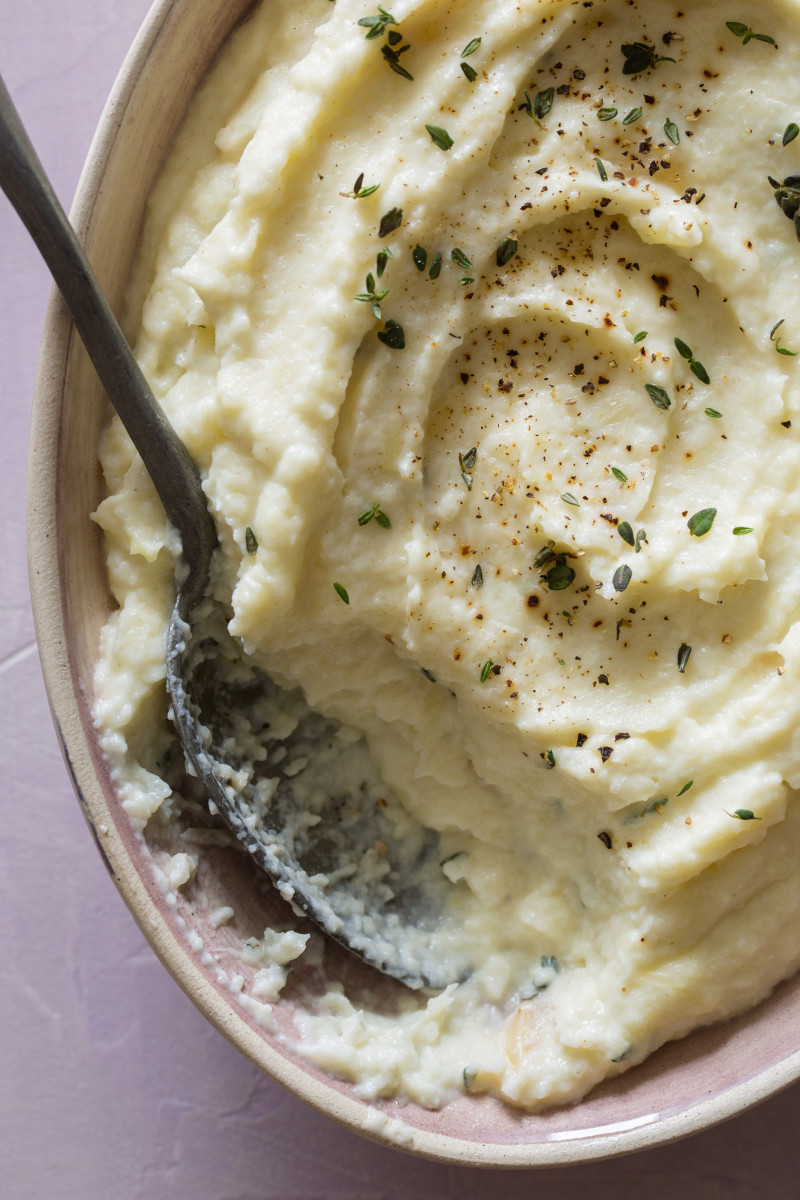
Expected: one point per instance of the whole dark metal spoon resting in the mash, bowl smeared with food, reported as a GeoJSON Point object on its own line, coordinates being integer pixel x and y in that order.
{"type": "Point", "coordinates": [348, 856]}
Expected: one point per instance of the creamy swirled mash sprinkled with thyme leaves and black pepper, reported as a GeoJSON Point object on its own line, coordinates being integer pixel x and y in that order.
{"type": "Point", "coordinates": [472, 328]}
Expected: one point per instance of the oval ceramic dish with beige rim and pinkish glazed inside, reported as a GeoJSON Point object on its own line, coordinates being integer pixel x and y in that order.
{"type": "Point", "coordinates": [685, 1088]}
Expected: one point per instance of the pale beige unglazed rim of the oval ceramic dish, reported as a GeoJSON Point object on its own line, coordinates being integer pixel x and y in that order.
{"type": "Point", "coordinates": [49, 615]}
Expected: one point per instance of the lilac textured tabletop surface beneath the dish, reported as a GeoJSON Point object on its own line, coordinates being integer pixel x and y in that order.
{"type": "Point", "coordinates": [112, 1084]}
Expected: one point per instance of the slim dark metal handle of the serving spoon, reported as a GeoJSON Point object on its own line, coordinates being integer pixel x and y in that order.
{"type": "Point", "coordinates": [177, 481]}
